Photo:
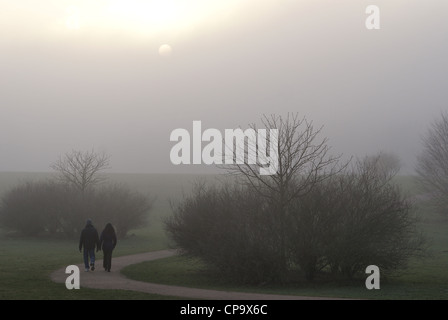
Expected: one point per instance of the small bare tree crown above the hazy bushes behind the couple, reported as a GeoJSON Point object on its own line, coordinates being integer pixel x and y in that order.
{"type": "Point", "coordinates": [81, 169]}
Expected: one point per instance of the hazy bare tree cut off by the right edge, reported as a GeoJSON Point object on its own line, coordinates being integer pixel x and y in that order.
{"type": "Point", "coordinates": [432, 166]}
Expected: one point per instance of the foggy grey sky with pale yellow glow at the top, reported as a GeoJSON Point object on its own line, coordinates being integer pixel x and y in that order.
{"type": "Point", "coordinates": [104, 85]}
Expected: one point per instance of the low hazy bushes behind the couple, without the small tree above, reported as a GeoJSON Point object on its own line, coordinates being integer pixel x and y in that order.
{"type": "Point", "coordinates": [56, 208]}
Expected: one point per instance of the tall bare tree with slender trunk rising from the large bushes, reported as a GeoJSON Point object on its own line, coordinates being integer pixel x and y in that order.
{"type": "Point", "coordinates": [303, 162]}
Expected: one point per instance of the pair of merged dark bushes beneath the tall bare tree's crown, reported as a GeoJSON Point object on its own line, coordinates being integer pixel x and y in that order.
{"type": "Point", "coordinates": [345, 223]}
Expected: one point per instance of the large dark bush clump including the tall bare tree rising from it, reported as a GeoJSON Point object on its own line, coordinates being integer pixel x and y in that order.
{"type": "Point", "coordinates": [315, 217]}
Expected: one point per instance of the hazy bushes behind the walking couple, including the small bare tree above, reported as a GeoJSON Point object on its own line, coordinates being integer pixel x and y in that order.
{"type": "Point", "coordinates": [60, 207]}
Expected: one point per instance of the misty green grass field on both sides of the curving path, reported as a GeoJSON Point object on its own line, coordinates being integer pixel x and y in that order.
{"type": "Point", "coordinates": [26, 263]}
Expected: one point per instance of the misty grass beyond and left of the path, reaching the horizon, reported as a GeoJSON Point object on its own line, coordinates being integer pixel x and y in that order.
{"type": "Point", "coordinates": [26, 263]}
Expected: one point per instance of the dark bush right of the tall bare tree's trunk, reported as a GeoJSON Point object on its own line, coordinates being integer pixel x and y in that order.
{"type": "Point", "coordinates": [351, 221]}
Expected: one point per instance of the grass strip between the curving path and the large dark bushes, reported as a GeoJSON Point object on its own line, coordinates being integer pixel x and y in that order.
{"type": "Point", "coordinates": [418, 284]}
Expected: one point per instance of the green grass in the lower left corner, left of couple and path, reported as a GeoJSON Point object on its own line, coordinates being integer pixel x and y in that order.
{"type": "Point", "coordinates": [26, 265]}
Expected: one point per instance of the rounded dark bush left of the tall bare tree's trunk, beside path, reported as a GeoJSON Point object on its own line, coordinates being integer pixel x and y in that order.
{"type": "Point", "coordinates": [230, 229]}
